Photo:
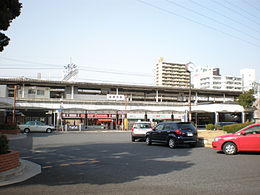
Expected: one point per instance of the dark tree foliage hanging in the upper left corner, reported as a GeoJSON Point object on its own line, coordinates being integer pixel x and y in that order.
{"type": "Point", "coordinates": [9, 10]}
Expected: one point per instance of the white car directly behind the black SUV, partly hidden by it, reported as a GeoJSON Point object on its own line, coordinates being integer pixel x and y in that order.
{"type": "Point", "coordinates": [139, 130]}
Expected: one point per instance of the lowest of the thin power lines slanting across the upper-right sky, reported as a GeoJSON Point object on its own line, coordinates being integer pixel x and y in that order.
{"type": "Point", "coordinates": [196, 22]}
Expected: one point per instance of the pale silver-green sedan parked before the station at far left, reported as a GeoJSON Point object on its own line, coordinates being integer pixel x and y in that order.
{"type": "Point", "coordinates": [36, 126]}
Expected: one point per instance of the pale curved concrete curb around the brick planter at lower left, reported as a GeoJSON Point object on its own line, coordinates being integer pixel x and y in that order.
{"type": "Point", "coordinates": [26, 170]}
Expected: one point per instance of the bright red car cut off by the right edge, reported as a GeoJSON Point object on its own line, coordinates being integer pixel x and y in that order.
{"type": "Point", "coordinates": [246, 139]}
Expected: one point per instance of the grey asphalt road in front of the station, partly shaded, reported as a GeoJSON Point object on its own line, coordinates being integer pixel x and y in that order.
{"type": "Point", "coordinates": [109, 163]}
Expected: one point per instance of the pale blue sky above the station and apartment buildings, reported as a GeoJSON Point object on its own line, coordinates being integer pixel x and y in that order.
{"type": "Point", "coordinates": [120, 41]}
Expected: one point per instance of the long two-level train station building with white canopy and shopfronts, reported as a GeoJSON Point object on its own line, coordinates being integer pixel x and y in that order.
{"type": "Point", "coordinates": [84, 104]}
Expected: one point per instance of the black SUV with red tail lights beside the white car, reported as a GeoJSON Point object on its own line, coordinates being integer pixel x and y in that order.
{"type": "Point", "coordinates": [173, 133]}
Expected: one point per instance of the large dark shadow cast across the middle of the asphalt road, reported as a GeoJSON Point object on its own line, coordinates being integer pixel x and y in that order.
{"type": "Point", "coordinates": [101, 163]}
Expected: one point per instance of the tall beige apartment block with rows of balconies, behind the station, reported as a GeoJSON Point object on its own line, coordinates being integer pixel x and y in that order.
{"type": "Point", "coordinates": [171, 75]}
